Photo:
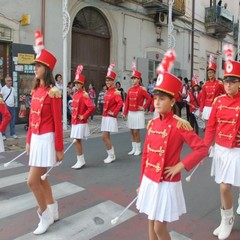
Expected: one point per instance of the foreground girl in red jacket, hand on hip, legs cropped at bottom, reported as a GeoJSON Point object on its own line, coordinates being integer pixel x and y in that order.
{"type": "Point", "coordinates": [160, 195]}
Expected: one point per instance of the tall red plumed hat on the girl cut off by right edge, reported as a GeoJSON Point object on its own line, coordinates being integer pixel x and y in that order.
{"type": "Point", "coordinates": [231, 68]}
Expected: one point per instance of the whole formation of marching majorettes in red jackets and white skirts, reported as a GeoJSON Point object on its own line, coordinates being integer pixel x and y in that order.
{"type": "Point", "coordinates": [214, 107]}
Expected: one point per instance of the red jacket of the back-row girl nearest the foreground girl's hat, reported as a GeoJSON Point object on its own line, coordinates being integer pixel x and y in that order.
{"type": "Point", "coordinates": [135, 99]}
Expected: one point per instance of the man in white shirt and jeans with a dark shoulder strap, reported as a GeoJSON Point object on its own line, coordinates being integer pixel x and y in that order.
{"type": "Point", "coordinates": [8, 94]}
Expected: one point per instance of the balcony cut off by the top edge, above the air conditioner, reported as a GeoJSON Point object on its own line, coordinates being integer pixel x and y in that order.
{"type": "Point", "coordinates": [155, 6]}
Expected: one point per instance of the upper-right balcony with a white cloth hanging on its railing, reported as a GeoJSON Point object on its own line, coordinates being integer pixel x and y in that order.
{"type": "Point", "coordinates": [218, 21]}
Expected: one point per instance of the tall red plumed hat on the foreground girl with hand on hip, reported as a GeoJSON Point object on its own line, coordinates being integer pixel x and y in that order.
{"type": "Point", "coordinates": [167, 82]}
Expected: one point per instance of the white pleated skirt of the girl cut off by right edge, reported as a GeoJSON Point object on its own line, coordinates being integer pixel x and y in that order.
{"type": "Point", "coordinates": [226, 165]}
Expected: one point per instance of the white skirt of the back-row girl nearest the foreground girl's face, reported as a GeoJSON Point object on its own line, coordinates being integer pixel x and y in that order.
{"type": "Point", "coordinates": [136, 120]}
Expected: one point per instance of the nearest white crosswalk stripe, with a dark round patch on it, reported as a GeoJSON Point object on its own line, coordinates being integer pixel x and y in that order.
{"type": "Point", "coordinates": [84, 225]}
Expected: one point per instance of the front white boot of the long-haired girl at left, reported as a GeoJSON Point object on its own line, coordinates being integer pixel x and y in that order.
{"type": "Point", "coordinates": [46, 219]}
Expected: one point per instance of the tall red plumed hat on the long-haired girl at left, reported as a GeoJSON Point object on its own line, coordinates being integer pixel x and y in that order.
{"type": "Point", "coordinates": [43, 56]}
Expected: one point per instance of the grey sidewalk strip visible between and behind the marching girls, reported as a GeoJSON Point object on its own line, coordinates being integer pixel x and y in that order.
{"type": "Point", "coordinates": [94, 126]}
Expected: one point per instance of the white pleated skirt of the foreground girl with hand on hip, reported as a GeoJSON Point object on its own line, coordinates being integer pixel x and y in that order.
{"type": "Point", "coordinates": [162, 201]}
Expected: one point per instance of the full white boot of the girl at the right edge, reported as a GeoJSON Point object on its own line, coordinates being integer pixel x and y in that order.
{"type": "Point", "coordinates": [225, 228]}
